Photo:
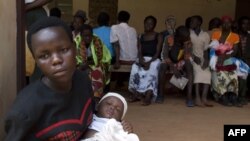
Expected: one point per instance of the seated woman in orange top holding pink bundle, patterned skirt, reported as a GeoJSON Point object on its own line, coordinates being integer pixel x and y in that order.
{"type": "Point", "coordinates": [225, 79]}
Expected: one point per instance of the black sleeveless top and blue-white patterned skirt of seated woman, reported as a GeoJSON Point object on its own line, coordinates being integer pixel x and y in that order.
{"type": "Point", "coordinates": [142, 80]}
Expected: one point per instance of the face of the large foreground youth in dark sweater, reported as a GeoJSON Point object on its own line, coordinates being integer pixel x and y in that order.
{"type": "Point", "coordinates": [54, 53]}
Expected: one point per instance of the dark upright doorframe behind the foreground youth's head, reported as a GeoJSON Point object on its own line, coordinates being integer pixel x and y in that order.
{"type": "Point", "coordinates": [20, 45]}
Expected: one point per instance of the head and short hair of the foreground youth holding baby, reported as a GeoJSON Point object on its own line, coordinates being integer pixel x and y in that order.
{"type": "Point", "coordinates": [50, 41]}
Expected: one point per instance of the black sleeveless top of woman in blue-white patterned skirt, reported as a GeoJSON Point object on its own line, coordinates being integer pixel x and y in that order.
{"type": "Point", "coordinates": [149, 47]}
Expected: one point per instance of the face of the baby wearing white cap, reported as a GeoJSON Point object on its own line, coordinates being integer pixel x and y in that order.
{"type": "Point", "coordinates": [111, 107]}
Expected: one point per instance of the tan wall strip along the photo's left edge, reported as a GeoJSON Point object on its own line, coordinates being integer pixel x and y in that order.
{"type": "Point", "coordinates": [7, 57]}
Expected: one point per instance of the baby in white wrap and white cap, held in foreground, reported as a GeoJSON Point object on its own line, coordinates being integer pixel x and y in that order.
{"type": "Point", "coordinates": [107, 125]}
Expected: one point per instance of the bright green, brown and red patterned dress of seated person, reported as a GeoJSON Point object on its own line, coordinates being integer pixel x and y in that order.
{"type": "Point", "coordinates": [99, 71]}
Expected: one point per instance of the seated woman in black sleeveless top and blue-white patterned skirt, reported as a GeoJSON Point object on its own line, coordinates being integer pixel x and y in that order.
{"type": "Point", "coordinates": [144, 74]}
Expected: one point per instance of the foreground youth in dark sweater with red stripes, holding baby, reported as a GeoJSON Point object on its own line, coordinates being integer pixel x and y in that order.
{"type": "Point", "coordinates": [58, 106]}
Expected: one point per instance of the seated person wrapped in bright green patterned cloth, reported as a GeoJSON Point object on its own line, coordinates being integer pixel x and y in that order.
{"type": "Point", "coordinates": [92, 54]}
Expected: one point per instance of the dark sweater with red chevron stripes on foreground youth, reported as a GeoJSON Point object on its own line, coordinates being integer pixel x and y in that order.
{"type": "Point", "coordinates": [40, 113]}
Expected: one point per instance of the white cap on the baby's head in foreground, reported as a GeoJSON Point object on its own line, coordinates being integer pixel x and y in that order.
{"type": "Point", "coordinates": [125, 104]}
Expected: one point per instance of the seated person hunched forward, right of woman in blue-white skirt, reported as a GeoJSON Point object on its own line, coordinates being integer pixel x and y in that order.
{"type": "Point", "coordinates": [177, 57]}
